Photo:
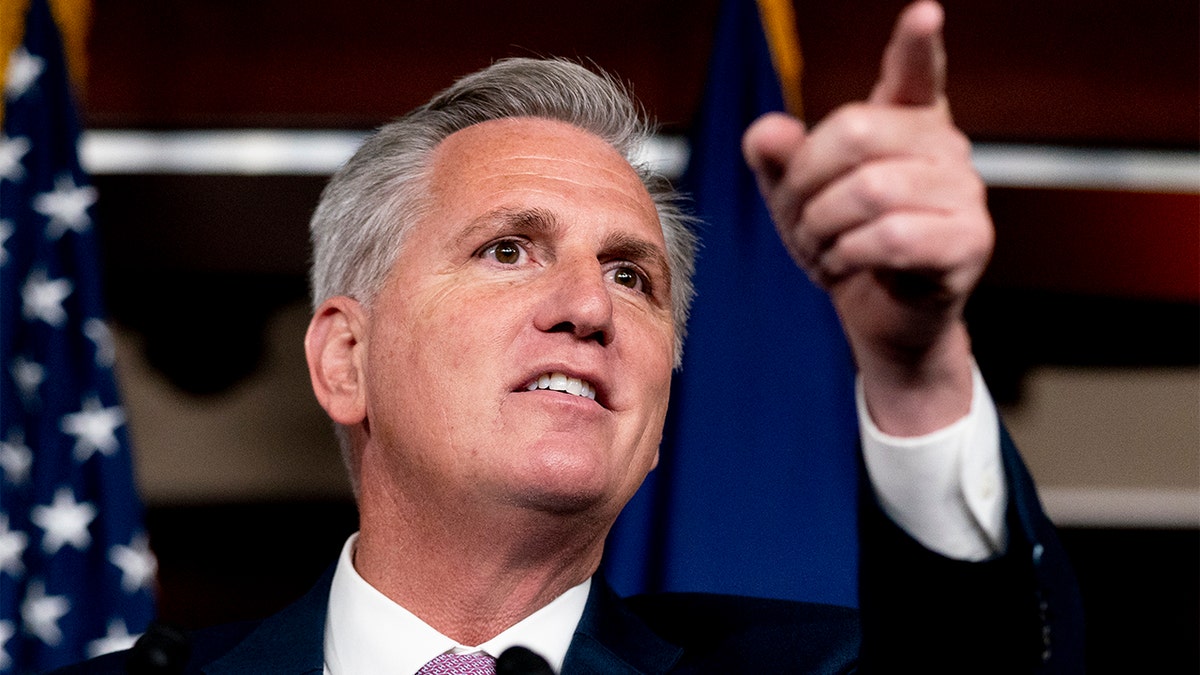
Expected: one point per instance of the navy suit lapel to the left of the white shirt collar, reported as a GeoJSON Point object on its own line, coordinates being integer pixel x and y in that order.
{"type": "Point", "coordinates": [289, 643]}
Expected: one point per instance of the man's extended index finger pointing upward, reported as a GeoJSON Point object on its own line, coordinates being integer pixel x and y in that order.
{"type": "Point", "coordinates": [914, 70]}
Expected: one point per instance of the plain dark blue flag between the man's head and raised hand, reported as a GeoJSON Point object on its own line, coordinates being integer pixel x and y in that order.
{"type": "Point", "coordinates": [755, 493]}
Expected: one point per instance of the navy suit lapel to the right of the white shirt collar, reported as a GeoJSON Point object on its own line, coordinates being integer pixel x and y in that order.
{"type": "Point", "coordinates": [611, 640]}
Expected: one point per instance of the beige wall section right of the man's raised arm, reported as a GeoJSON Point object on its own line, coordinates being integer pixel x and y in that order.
{"type": "Point", "coordinates": [1113, 446]}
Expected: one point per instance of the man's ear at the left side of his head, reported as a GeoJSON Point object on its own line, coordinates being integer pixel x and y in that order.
{"type": "Point", "coordinates": [335, 348]}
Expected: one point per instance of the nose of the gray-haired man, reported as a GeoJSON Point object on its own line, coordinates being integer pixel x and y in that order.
{"type": "Point", "coordinates": [578, 302]}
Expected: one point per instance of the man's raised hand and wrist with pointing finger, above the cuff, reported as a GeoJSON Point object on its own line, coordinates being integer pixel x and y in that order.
{"type": "Point", "coordinates": [881, 206]}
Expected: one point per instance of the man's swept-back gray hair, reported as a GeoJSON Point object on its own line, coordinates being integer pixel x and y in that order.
{"type": "Point", "coordinates": [376, 198]}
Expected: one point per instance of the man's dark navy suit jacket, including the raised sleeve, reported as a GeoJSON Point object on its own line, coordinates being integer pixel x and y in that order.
{"type": "Point", "coordinates": [921, 613]}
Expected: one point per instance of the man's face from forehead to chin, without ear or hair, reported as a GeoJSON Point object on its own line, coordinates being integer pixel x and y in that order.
{"type": "Point", "coordinates": [541, 266]}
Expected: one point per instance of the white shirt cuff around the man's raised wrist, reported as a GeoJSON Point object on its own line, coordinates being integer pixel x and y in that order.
{"type": "Point", "coordinates": [945, 489]}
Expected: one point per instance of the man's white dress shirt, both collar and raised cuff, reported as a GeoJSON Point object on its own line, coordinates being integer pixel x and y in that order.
{"type": "Point", "coordinates": [946, 489]}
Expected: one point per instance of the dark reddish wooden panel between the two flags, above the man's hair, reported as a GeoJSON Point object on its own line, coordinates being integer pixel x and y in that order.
{"type": "Point", "coordinates": [358, 63]}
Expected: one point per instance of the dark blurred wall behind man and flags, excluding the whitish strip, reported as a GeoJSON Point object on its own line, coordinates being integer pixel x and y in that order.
{"type": "Point", "coordinates": [1088, 325]}
